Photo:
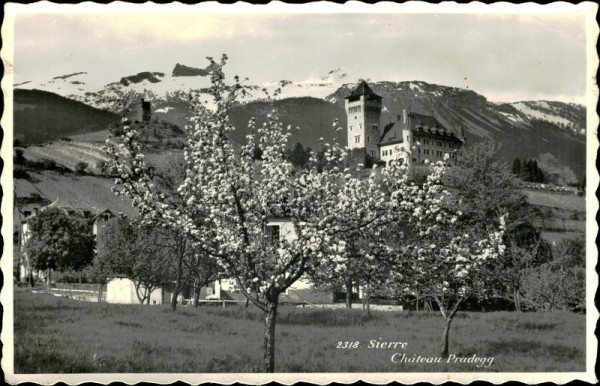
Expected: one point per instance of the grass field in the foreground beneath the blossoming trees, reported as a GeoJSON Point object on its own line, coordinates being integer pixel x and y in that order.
{"type": "Point", "coordinates": [59, 335]}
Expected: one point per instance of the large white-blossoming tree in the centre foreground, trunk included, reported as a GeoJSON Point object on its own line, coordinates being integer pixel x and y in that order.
{"type": "Point", "coordinates": [228, 197]}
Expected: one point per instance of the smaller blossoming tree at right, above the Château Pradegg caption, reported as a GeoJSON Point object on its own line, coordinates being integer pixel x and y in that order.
{"type": "Point", "coordinates": [445, 257]}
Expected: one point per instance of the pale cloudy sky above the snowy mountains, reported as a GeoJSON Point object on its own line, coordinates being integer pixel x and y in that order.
{"type": "Point", "coordinates": [505, 57]}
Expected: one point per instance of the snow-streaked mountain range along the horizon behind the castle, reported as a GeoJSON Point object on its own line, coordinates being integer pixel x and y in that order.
{"type": "Point", "coordinates": [526, 129]}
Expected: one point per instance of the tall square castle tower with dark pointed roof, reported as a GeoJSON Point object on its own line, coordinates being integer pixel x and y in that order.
{"type": "Point", "coordinates": [363, 109]}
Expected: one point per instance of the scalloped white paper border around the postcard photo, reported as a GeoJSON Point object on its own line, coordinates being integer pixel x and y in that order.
{"type": "Point", "coordinates": [588, 9]}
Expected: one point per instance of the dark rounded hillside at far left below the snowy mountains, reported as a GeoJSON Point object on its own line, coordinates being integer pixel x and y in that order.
{"type": "Point", "coordinates": [41, 116]}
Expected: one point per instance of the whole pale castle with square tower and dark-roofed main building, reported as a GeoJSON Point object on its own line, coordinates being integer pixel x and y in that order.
{"type": "Point", "coordinates": [413, 139]}
